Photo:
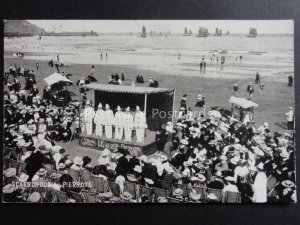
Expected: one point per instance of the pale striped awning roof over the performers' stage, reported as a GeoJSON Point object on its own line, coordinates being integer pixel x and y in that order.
{"type": "Point", "coordinates": [125, 89]}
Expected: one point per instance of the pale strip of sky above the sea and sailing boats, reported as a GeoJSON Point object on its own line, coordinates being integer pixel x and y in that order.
{"type": "Point", "coordinates": [175, 26]}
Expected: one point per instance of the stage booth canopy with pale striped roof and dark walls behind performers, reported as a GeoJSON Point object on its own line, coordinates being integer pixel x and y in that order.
{"type": "Point", "coordinates": [157, 103]}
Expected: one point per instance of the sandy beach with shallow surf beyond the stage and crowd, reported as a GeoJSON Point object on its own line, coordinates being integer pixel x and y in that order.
{"type": "Point", "coordinates": [160, 60]}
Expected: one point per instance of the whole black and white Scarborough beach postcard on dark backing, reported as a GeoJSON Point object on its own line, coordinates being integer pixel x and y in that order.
{"type": "Point", "coordinates": [149, 111]}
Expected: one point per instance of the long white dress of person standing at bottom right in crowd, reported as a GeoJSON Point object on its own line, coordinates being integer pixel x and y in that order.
{"type": "Point", "coordinates": [260, 188]}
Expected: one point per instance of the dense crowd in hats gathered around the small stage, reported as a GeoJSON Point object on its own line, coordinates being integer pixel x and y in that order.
{"type": "Point", "coordinates": [198, 159]}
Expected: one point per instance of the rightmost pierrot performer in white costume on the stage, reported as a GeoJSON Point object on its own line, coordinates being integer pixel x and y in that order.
{"type": "Point", "coordinates": [140, 124]}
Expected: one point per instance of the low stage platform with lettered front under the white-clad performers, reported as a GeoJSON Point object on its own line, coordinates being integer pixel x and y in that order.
{"type": "Point", "coordinates": [97, 142]}
